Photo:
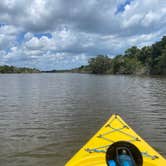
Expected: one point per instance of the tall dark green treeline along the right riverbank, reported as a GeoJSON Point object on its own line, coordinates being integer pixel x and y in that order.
{"type": "Point", "coordinates": [150, 60]}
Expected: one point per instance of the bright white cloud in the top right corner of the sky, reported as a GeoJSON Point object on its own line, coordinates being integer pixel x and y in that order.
{"type": "Point", "coordinates": [144, 13]}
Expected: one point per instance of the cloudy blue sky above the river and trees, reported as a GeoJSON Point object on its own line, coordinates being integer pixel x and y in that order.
{"type": "Point", "coordinates": [64, 34]}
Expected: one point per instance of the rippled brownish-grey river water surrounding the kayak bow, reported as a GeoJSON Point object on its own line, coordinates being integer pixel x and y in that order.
{"type": "Point", "coordinates": [46, 118]}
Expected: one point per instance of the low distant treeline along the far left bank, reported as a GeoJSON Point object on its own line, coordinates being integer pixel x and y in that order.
{"type": "Point", "coordinates": [13, 69]}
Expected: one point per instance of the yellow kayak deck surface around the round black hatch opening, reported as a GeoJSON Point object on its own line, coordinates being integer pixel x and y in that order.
{"type": "Point", "coordinates": [115, 129]}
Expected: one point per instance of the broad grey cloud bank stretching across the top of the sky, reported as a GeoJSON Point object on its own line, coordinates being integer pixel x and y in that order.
{"type": "Point", "coordinates": [93, 16]}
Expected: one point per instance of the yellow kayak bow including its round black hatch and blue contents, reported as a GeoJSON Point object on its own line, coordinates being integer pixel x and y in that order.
{"type": "Point", "coordinates": [111, 138]}
